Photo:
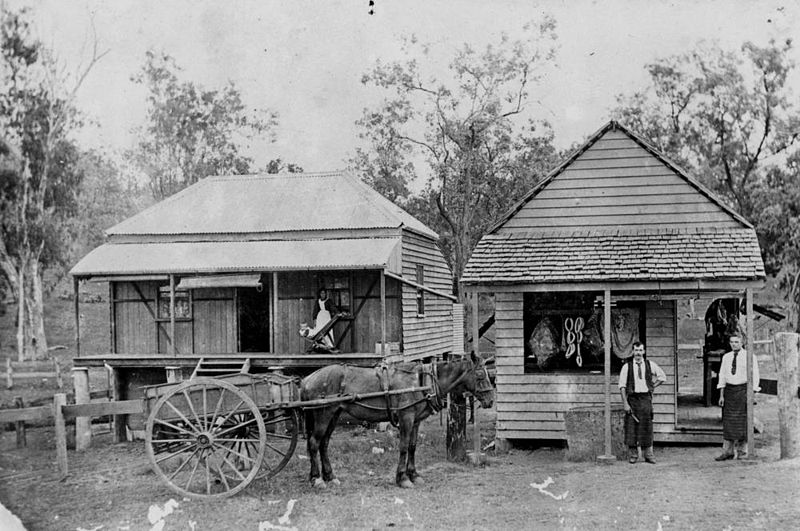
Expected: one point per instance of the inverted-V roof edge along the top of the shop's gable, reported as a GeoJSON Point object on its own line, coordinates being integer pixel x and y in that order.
{"type": "Point", "coordinates": [610, 126]}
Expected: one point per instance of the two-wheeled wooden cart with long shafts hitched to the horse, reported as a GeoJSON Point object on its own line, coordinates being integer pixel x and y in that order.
{"type": "Point", "coordinates": [211, 437]}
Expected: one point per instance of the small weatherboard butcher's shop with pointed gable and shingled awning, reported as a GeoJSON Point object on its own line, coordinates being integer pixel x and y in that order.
{"type": "Point", "coordinates": [600, 253]}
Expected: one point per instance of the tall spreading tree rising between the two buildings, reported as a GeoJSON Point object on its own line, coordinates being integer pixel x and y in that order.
{"type": "Point", "coordinates": [465, 128]}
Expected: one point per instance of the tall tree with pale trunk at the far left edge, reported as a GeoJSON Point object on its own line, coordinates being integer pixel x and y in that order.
{"type": "Point", "coordinates": [38, 169]}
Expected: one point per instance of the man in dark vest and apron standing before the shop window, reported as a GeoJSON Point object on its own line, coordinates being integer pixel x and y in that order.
{"type": "Point", "coordinates": [637, 379]}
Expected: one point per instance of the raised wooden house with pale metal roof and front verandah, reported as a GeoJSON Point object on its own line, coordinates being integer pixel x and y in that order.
{"type": "Point", "coordinates": [229, 268]}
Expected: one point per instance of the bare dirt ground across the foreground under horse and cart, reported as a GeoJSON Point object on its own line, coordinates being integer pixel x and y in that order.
{"type": "Point", "coordinates": [111, 487]}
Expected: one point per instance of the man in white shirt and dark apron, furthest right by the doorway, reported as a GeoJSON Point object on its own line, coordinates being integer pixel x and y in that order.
{"type": "Point", "coordinates": [733, 399]}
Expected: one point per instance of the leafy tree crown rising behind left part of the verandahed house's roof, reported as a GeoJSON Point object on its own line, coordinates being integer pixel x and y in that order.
{"type": "Point", "coordinates": [192, 132]}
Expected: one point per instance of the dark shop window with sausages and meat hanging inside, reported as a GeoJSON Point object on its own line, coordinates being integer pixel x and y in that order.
{"type": "Point", "coordinates": [563, 332]}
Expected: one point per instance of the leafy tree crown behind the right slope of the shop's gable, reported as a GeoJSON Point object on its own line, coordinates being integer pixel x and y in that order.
{"type": "Point", "coordinates": [721, 114]}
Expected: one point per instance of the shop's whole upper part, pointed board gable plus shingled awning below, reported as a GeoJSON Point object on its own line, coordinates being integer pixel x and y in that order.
{"type": "Point", "coordinates": [622, 213]}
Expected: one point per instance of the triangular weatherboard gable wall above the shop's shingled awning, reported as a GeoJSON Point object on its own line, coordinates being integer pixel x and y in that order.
{"type": "Point", "coordinates": [616, 183]}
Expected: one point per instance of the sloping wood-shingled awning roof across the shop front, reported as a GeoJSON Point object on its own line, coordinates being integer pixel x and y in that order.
{"type": "Point", "coordinates": [616, 255]}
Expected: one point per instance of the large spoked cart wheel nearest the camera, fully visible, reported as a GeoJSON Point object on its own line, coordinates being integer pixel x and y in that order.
{"type": "Point", "coordinates": [196, 434]}
